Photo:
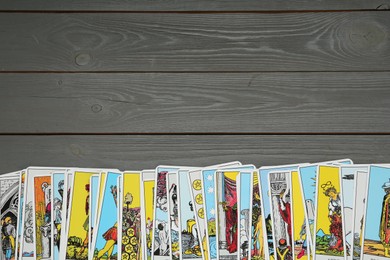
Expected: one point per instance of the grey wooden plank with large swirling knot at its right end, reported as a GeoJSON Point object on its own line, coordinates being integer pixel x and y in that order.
{"type": "Point", "coordinates": [341, 41]}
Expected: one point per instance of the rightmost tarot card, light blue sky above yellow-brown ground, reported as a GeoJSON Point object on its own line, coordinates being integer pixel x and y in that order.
{"type": "Point", "coordinates": [376, 243]}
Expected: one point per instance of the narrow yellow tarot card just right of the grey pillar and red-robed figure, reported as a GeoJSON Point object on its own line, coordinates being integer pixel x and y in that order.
{"type": "Point", "coordinates": [299, 224]}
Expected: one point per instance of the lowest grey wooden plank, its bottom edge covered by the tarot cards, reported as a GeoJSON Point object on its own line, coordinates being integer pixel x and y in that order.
{"type": "Point", "coordinates": [140, 152]}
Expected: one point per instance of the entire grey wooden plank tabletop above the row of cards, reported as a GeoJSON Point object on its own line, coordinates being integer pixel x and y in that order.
{"type": "Point", "coordinates": [134, 84]}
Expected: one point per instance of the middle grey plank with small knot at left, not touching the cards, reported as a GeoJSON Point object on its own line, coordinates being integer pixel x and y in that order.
{"type": "Point", "coordinates": [195, 102]}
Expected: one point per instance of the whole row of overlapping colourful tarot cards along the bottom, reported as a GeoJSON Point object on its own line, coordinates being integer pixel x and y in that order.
{"type": "Point", "coordinates": [329, 210]}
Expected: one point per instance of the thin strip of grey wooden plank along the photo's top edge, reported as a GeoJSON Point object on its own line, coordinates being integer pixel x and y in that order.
{"type": "Point", "coordinates": [191, 5]}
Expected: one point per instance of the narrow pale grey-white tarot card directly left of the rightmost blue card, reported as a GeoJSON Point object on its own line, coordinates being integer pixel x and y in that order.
{"type": "Point", "coordinates": [361, 180]}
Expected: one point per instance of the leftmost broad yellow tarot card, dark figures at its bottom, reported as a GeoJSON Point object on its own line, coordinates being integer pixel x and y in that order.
{"type": "Point", "coordinates": [77, 235]}
